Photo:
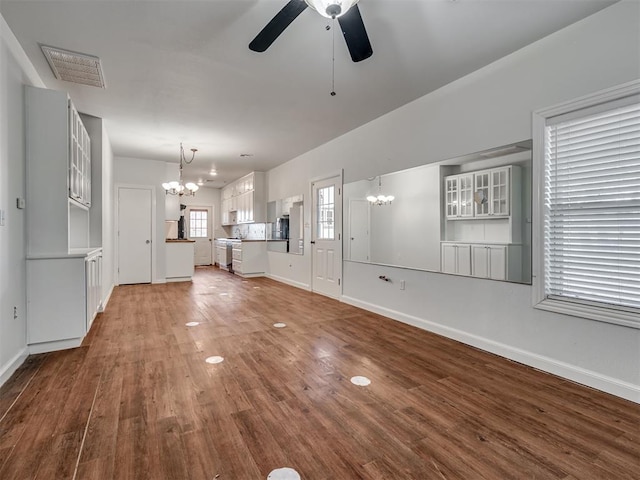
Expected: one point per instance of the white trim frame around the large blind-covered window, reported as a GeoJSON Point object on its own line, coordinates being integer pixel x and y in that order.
{"type": "Point", "coordinates": [540, 119]}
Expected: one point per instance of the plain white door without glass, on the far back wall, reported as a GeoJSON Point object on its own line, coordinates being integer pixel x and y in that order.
{"type": "Point", "coordinates": [134, 235]}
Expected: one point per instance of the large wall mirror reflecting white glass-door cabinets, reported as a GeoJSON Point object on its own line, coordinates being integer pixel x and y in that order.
{"type": "Point", "coordinates": [469, 215]}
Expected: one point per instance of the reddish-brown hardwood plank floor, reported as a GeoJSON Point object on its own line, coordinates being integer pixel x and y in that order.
{"type": "Point", "coordinates": [138, 400]}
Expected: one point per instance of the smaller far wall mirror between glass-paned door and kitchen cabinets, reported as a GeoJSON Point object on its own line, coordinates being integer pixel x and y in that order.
{"type": "Point", "coordinates": [285, 227]}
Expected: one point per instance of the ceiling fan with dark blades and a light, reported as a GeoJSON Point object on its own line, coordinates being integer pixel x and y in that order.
{"type": "Point", "coordinates": [345, 11]}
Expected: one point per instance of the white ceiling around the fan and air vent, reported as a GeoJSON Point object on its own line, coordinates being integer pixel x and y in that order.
{"type": "Point", "coordinates": [181, 71]}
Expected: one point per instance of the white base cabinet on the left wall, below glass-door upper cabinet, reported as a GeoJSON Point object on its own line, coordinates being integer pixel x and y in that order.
{"type": "Point", "coordinates": [63, 298]}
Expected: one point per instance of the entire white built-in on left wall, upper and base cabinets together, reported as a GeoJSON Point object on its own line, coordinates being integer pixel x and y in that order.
{"type": "Point", "coordinates": [64, 269]}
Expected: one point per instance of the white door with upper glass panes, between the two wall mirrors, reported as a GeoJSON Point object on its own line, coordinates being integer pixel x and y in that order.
{"type": "Point", "coordinates": [326, 237]}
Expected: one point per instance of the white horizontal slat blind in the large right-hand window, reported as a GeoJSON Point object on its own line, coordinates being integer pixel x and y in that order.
{"type": "Point", "coordinates": [592, 209]}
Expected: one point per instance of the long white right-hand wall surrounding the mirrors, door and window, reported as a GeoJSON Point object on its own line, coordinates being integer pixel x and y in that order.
{"type": "Point", "coordinates": [488, 108]}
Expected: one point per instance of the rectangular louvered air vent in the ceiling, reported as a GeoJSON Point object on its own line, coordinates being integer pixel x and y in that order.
{"type": "Point", "coordinates": [74, 67]}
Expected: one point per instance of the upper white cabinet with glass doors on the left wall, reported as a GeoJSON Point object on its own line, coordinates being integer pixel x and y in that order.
{"type": "Point", "coordinates": [58, 174]}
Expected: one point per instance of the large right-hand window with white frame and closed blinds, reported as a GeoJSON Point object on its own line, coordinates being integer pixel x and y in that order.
{"type": "Point", "coordinates": [588, 181]}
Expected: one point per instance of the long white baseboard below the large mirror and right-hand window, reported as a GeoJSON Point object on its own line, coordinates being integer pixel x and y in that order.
{"type": "Point", "coordinates": [571, 372]}
